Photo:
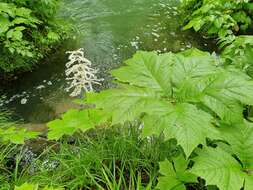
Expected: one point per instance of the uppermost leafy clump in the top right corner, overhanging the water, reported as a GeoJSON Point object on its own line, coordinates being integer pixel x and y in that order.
{"type": "Point", "coordinates": [220, 17]}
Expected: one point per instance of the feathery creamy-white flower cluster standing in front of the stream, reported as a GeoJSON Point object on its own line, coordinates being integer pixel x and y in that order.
{"type": "Point", "coordinates": [80, 74]}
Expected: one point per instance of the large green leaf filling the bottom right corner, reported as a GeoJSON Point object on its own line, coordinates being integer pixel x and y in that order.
{"type": "Point", "coordinates": [231, 167]}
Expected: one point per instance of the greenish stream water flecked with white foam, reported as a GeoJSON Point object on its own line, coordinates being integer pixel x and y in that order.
{"type": "Point", "coordinates": [110, 32]}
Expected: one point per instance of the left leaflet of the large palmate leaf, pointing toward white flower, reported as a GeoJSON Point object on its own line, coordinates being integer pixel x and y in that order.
{"type": "Point", "coordinates": [127, 103]}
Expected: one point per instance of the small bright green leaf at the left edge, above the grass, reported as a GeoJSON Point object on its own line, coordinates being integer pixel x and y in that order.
{"type": "Point", "coordinates": [16, 135]}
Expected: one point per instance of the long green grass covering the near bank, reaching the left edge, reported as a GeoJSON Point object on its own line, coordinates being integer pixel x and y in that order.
{"type": "Point", "coordinates": [114, 158]}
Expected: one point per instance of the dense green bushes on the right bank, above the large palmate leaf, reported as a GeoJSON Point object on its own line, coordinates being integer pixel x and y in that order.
{"type": "Point", "coordinates": [228, 21]}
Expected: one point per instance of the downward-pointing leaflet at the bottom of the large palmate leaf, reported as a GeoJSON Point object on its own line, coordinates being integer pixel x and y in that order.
{"type": "Point", "coordinates": [190, 126]}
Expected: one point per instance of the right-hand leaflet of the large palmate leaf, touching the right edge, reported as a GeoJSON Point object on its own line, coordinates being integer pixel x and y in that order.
{"type": "Point", "coordinates": [222, 91]}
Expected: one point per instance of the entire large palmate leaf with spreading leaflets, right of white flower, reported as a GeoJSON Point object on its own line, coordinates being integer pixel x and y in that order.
{"type": "Point", "coordinates": [177, 94]}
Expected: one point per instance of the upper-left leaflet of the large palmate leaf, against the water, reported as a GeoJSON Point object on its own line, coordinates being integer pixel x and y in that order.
{"type": "Point", "coordinates": [147, 69]}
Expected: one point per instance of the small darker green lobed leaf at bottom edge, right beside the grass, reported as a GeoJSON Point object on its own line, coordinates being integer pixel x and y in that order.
{"type": "Point", "coordinates": [175, 175]}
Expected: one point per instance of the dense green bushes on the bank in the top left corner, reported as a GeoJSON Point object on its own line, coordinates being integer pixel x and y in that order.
{"type": "Point", "coordinates": [28, 31]}
